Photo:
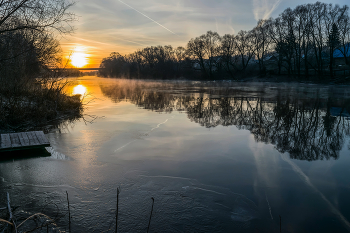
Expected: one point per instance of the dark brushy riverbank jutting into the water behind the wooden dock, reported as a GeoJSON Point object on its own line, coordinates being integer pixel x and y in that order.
{"type": "Point", "coordinates": [35, 104]}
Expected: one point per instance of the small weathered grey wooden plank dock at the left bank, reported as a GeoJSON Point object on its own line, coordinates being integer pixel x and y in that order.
{"type": "Point", "coordinates": [23, 141]}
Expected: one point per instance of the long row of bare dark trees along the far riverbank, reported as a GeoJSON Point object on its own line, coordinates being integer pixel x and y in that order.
{"type": "Point", "coordinates": [300, 42]}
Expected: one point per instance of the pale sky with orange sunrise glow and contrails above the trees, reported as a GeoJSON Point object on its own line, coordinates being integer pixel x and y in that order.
{"type": "Point", "coordinates": [123, 26]}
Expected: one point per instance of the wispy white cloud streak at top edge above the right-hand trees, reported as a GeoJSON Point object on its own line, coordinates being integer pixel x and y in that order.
{"type": "Point", "coordinates": [263, 9]}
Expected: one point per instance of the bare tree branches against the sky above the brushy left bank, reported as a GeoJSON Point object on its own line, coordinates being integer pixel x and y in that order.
{"type": "Point", "coordinates": [36, 22]}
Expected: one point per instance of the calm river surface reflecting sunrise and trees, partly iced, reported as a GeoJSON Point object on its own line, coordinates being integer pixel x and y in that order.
{"type": "Point", "coordinates": [229, 157]}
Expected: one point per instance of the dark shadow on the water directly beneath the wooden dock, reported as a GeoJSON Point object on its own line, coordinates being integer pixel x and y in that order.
{"type": "Point", "coordinates": [24, 154]}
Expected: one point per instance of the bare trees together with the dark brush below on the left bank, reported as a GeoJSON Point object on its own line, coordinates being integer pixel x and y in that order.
{"type": "Point", "coordinates": [29, 50]}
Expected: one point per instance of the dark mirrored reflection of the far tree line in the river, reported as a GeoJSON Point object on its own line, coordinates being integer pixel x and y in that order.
{"type": "Point", "coordinates": [308, 125]}
